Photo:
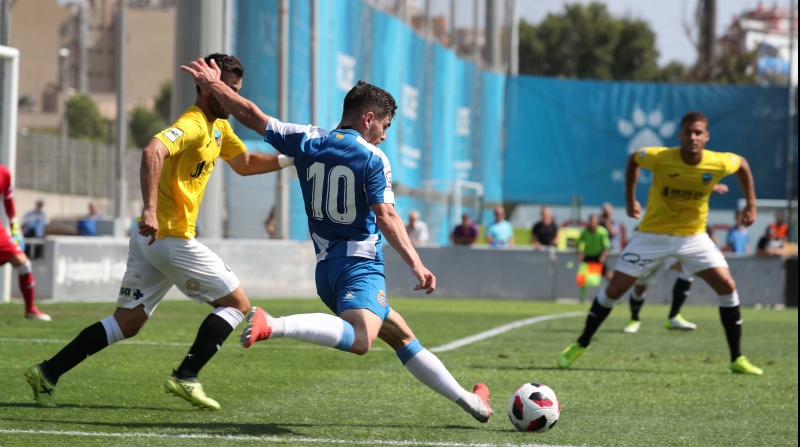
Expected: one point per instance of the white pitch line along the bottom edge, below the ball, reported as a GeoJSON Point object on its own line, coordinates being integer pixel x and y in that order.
{"type": "Point", "coordinates": [283, 440]}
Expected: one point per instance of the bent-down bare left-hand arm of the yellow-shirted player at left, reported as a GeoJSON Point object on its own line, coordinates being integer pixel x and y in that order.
{"type": "Point", "coordinates": [149, 174]}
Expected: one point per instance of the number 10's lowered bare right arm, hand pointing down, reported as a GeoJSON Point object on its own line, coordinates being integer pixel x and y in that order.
{"type": "Point", "coordinates": [394, 230]}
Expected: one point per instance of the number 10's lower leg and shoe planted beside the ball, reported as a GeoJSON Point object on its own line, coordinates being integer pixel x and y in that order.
{"type": "Point", "coordinates": [428, 369]}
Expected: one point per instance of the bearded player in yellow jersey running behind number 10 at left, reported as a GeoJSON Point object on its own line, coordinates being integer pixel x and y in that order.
{"type": "Point", "coordinates": [175, 169]}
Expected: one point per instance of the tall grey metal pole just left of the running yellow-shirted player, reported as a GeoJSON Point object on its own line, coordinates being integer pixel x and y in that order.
{"type": "Point", "coordinates": [121, 193]}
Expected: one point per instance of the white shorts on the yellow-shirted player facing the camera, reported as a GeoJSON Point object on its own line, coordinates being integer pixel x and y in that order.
{"type": "Point", "coordinates": [646, 252]}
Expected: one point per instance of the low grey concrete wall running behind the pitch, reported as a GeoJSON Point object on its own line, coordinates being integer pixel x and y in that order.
{"type": "Point", "coordinates": [90, 268]}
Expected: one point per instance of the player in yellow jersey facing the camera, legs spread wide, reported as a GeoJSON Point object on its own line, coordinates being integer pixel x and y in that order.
{"type": "Point", "coordinates": [675, 226]}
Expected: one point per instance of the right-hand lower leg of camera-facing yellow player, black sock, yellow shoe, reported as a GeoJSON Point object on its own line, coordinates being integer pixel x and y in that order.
{"type": "Point", "coordinates": [719, 279]}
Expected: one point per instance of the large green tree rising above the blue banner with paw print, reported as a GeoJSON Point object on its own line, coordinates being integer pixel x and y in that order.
{"type": "Point", "coordinates": [587, 42]}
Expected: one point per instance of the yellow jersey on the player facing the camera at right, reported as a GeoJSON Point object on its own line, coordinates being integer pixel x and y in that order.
{"type": "Point", "coordinates": [678, 200]}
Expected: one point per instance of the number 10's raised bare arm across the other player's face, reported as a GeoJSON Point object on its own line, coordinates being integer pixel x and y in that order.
{"type": "Point", "coordinates": [208, 78]}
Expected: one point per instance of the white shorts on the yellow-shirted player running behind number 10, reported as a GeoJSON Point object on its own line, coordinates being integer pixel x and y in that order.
{"type": "Point", "coordinates": [186, 263]}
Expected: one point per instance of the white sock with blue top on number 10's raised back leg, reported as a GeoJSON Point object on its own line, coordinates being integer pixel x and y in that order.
{"type": "Point", "coordinates": [320, 329]}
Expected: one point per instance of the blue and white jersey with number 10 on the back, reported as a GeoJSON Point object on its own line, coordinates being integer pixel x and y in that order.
{"type": "Point", "coordinates": [341, 176]}
